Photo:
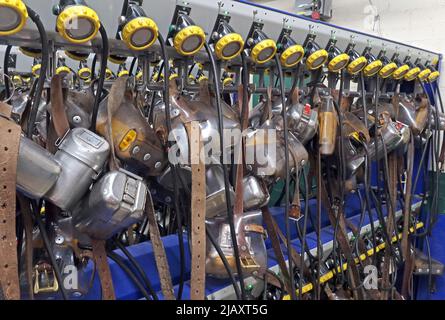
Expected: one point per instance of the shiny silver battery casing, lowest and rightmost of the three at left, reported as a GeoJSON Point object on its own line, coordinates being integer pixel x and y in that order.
{"type": "Point", "coordinates": [115, 202]}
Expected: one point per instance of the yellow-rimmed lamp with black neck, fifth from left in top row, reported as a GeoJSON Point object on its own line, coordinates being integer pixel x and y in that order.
{"type": "Point", "coordinates": [226, 42]}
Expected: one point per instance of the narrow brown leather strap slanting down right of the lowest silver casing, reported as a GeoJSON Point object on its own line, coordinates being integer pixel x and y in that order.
{"type": "Point", "coordinates": [159, 251]}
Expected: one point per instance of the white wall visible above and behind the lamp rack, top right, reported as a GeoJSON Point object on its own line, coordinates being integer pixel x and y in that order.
{"type": "Point", "coordinates": [417, 22]}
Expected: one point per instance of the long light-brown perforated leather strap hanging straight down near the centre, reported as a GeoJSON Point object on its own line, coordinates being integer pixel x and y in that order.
{"type": "Point", "coordinates": [198, 208]}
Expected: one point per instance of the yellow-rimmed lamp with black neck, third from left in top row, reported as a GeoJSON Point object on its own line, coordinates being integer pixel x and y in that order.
{"type": "Point", "coordinates": [138, 31]}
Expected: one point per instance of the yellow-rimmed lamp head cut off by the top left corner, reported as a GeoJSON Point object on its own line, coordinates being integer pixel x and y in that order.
{"type": "Point", "coordinates": [13, 15]}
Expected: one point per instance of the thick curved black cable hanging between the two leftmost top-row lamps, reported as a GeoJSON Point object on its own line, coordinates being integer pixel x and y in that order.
{"type": "Point", "coordinates": [42, 77]}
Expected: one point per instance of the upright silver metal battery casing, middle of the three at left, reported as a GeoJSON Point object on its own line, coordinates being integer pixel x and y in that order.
{"type": "Point", "coordinates": [82, 155]}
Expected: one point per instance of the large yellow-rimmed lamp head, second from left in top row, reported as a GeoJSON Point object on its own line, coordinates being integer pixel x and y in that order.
{"type": "Point", "coordinates": [76, 22]}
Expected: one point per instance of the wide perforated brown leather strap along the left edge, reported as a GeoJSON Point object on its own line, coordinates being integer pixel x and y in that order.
{"type": "Point", "coordinates": [9, 149]}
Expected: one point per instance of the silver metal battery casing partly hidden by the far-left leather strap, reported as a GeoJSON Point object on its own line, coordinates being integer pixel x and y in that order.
{"type": "Point", "coordinates": [37, 169]}
